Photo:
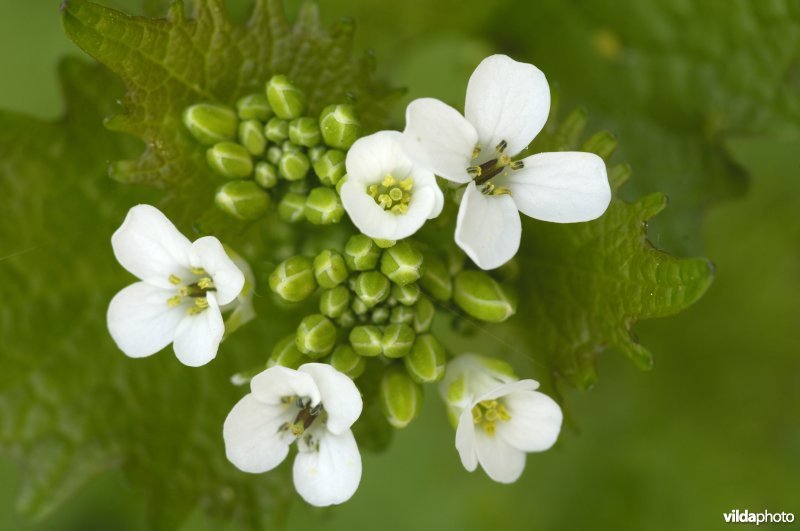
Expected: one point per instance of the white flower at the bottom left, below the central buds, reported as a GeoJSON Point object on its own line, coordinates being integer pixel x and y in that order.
{"type": "Point", "coordinates": [315, 406]}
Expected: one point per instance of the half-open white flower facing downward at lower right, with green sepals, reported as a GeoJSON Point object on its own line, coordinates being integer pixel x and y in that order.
{"type": "Point", "coordinates": [499, 418]}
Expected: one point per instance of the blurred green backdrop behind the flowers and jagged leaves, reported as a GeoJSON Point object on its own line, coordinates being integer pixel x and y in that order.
{"type": "Point", "coordinates": [699, 102]}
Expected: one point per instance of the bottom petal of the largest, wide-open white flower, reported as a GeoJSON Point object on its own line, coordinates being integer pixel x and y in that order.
{"type": "Point", "coordinates": [488, 228]}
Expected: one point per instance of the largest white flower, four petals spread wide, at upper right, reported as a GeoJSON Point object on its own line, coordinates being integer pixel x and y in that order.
{"type": "Point", "coordinates": [506, 106]}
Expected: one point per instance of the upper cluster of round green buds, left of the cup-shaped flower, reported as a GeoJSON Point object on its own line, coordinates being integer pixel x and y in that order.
{"type": "Point", "coordinates": [269, 149]}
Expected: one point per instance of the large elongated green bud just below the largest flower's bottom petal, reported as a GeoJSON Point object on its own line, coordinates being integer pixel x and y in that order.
{"type": "Point", "coordinates": [482, 297]}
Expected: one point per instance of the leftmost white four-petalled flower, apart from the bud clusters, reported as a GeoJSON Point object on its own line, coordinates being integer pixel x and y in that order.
{"type": "Point", "coordinates": [182, 286]}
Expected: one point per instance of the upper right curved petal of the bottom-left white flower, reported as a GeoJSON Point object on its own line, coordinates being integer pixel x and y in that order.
{"type": "Point", "coordinates": [338, 393]}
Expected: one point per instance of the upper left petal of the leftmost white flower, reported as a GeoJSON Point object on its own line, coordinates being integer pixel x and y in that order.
{"type": "Point", "coordinates": [149, 246]}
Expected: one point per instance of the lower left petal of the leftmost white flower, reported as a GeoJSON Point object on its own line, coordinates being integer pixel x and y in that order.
{"type": "Point", "coordinates": [140, 321]}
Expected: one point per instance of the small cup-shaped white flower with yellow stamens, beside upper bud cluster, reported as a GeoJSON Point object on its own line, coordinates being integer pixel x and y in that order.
{"type": "Point", "coordinates": [387, 196]}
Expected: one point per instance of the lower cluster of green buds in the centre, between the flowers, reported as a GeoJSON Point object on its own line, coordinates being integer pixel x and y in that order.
{"type": "Point", "coordinates": [377, 302]}
